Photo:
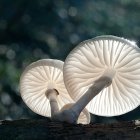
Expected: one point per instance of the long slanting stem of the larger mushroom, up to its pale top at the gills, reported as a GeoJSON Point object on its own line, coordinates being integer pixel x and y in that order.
{"type": "Point", "coordinates": [104, 81]}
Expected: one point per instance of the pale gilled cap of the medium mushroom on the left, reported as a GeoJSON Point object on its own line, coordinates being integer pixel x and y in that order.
{"type": "Point", "coordinates": [36, 79]}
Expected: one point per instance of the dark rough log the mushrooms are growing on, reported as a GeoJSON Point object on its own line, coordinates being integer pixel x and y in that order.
{"type": "Point", "coordinates": [45, 129]}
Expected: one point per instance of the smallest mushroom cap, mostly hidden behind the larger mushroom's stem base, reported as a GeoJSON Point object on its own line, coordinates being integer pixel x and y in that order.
{"type": "Point", "coordinates": [84, 117]}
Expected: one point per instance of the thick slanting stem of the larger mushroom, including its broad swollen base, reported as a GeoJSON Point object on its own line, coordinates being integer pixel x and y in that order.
{"type": "Point", "coordinates": [71, 115]}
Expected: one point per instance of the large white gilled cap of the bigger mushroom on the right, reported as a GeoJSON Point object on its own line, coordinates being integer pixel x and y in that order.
{"type": "Point", "coordinates": [105, 54]}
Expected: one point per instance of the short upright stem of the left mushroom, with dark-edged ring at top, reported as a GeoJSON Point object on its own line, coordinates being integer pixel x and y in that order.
{"type": "Point", "coordinates": [51, 94]}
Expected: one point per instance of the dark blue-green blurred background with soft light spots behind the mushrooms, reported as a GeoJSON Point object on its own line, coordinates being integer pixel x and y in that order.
{"type": "Point", "coordinates": [34, 29]}
